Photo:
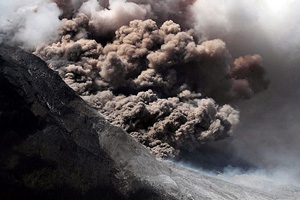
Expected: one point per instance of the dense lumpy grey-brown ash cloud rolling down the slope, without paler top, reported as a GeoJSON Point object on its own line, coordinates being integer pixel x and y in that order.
{"type": "Point", "coordinates": [150, 81]}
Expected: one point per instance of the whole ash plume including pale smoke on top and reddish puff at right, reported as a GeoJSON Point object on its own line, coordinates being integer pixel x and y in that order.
{"type": "Point", "coordinates": [152, 77]}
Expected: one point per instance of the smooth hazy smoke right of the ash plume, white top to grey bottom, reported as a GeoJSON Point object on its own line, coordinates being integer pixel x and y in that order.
{"type": "Point", "coordinates": [268, 136]}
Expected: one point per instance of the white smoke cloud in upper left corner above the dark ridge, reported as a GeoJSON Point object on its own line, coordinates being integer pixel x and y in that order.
{"type": "Point", "coordinates": [29, 22]}
